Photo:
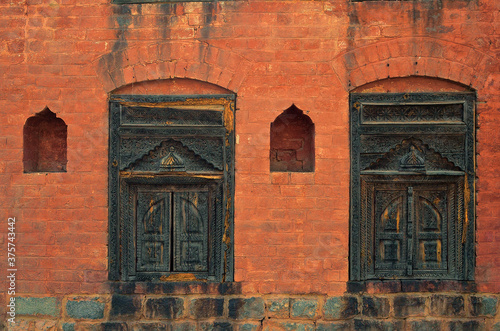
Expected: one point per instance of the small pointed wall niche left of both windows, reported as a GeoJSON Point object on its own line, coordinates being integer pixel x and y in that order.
{"type": "Point", "coordinates": [45, 143]}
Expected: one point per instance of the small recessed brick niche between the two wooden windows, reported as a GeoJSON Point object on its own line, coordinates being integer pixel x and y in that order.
{"type": "Point", "coordinates": [292, 142]}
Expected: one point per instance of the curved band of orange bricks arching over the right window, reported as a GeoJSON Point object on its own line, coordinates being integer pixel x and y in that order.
{"type": "Point", "coordinates": [405, 57]}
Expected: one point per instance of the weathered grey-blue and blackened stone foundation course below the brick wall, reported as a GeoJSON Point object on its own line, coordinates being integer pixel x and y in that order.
{"type": "Point", "coordinates": [214, 310]}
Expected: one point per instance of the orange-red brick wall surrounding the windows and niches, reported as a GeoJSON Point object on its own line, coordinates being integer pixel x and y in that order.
{"type": "Point", "coordinates": [291, 229]}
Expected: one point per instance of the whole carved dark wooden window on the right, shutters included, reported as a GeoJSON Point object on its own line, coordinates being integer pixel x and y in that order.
{"type": "Point", "coordinates": [412, 196]}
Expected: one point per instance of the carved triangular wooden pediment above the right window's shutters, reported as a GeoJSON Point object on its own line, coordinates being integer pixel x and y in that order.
{"type": "Point", "coordinates": [414, 156]}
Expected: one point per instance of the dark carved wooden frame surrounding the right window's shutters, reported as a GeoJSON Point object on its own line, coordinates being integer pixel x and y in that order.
{"type": "Point", "coordinates": [385, 129]}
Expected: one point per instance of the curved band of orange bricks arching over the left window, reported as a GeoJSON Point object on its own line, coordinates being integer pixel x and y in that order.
{"type": "Point", "coordinates": [195, 60]}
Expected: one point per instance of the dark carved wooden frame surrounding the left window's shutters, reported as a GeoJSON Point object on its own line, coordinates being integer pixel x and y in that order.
{"type": "Point", "coordinates": [199, 133]}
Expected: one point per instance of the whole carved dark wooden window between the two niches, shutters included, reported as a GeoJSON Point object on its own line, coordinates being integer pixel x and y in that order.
{"type": "Point", "coordinates": [171, 187]}
